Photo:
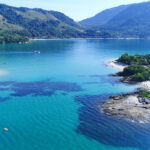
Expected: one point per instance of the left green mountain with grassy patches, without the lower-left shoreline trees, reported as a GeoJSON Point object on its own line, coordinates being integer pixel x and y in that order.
{"type": "Point", "coordinates": [37, 22]}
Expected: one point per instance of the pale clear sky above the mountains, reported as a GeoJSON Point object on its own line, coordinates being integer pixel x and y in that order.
{"type": "Point", "coordinates": [77, 9]}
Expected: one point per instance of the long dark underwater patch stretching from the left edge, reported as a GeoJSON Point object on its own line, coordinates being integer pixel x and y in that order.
{"type": "Point", "coordinates": [46, 88]}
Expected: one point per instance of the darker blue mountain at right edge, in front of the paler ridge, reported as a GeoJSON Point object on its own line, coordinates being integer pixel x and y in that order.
{"type": "Point", "coordinates": [135, 20]}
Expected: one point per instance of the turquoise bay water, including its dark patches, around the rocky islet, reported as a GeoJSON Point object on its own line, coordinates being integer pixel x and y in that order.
{"type": "Point", "coordinates": [50, 101]}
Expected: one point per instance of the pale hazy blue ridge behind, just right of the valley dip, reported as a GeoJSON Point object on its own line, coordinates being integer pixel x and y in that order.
{"type": "Point", "coordinates": [103, 17]}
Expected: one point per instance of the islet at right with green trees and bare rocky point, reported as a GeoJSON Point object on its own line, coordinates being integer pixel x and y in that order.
{"type": "Point", "coordinates": [134, 106]}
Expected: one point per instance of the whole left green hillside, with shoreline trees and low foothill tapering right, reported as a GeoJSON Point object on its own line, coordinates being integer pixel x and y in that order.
{"type": "Point", "coordinates": [22, 23]}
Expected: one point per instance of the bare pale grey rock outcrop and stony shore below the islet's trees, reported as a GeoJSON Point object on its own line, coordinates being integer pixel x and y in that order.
{"type": "Point", "coordinates": [129, 106]}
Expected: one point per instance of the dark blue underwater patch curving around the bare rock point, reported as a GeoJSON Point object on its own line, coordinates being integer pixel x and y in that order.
{"type": "Point", "coordinates": [108, 130]}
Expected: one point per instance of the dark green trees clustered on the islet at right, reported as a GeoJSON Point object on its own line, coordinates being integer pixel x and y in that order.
{"type": "Point", "coordinates": [138, 67]}
